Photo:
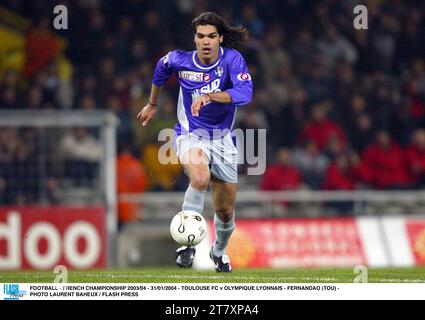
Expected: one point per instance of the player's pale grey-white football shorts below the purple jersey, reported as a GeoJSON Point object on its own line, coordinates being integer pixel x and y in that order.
{"type": "Point", "coordinates": [222, 154]}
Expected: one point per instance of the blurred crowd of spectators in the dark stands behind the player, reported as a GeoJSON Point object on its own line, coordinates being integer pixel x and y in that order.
{"type": "Point", "coordinates": [344, 109]}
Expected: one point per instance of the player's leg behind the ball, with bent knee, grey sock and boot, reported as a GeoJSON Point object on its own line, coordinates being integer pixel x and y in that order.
{"type": "Point", "coordinates": [195, 164]}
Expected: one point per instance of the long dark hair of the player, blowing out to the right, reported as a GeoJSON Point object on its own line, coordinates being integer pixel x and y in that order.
{"type": "Point", "coordinates": [233, 37]}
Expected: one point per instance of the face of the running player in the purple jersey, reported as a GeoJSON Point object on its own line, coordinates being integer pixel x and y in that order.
{"type": "Point", "coordinates": [207, 42]}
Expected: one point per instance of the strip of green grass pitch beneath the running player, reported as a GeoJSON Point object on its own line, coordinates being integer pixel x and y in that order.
{"type": "Point", "coordinates": [175, 275]}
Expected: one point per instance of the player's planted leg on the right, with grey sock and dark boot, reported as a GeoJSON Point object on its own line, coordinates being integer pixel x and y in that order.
{"type": "Point", "coordinates": [224, 196]}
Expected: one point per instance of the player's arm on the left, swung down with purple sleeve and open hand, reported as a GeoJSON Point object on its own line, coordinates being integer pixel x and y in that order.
{"type": "Point", "coordinates": [162, 73]}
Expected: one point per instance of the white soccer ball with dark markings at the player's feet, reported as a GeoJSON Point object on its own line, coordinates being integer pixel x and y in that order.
{"type": "Point", "coordinates": [188, 228]}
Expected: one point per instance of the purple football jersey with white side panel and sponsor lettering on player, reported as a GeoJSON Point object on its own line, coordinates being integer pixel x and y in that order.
{"type": "Point", "coordinates": [229, 73]}
